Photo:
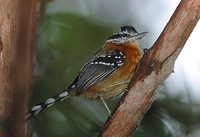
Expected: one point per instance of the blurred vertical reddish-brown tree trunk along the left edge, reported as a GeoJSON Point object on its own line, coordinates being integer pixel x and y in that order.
{"type": "Point", "coordinates": [17, 32]}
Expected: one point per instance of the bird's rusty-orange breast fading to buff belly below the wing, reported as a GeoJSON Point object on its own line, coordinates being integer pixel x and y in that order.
{"type": "Point", "coordinates": [115, 83]}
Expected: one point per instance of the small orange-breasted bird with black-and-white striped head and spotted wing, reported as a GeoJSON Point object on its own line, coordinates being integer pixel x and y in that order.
{"type": "Point", "coordinates": [106, 74]}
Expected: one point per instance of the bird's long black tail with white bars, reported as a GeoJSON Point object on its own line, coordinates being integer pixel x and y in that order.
{"type": "Point", "coordinates": [45, 104]}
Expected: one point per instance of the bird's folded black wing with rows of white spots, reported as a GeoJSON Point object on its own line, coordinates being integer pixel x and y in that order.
{"type": "Point", "coordinates": [97, 69]}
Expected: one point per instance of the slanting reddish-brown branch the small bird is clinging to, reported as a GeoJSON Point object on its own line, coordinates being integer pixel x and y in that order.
{"type": "Point", "coordinates": [155, 66]}
